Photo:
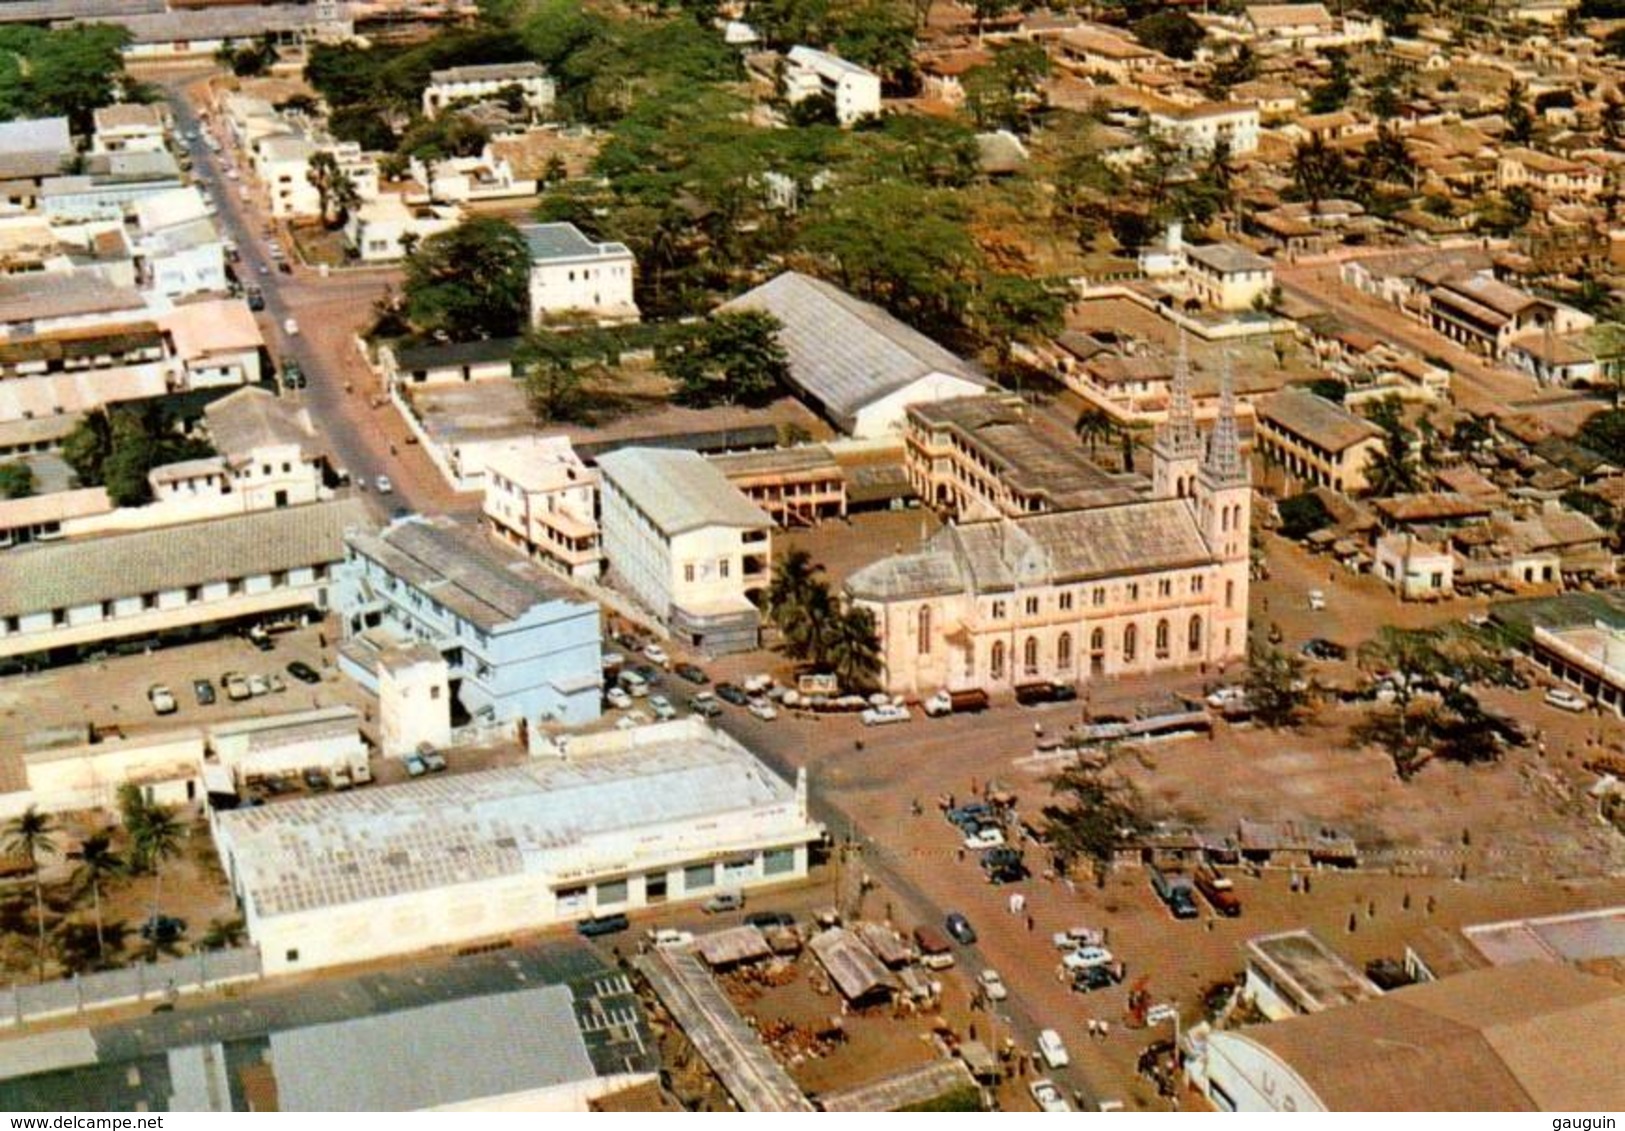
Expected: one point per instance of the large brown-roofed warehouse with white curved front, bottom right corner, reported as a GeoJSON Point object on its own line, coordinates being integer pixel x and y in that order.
{"type": "Point", "coordinates": [1507, 1039]}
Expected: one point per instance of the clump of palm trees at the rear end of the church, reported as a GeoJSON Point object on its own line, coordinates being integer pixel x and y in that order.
{"type": "Point", "coordinates": [820, 628]}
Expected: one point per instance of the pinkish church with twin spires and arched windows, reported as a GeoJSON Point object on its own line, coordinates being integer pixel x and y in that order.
{"type": "Point", "coordinates": [1130, 587]}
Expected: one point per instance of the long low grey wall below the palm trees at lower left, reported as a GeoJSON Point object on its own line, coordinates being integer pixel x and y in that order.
{"type": "Point", "coordinates": [142, 982]}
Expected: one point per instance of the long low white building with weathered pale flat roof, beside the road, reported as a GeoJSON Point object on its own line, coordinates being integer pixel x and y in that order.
{"type": "Point", "coordinates": [617, 821]}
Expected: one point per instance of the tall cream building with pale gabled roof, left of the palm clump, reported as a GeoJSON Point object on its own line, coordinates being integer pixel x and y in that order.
{"type": "Point", "coordinates": [687, 544]}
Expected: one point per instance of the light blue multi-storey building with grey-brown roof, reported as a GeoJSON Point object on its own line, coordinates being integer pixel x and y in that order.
{"type": "Point", "coordinates": [521, 644]}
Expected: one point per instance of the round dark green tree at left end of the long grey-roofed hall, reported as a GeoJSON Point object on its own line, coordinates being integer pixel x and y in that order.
{"type": "Point", "coordinates": [730, 360]}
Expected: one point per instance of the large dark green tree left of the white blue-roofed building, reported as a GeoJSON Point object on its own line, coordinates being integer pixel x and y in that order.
{"type": "Point", "coordinates": [470, 284]}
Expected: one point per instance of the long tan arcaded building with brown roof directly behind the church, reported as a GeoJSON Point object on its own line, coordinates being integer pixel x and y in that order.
{"type": "Point", "coordinates": [982, 457]}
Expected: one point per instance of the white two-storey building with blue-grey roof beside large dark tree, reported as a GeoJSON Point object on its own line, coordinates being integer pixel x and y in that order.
{"type": "Point", "coordinates": [574, 277]}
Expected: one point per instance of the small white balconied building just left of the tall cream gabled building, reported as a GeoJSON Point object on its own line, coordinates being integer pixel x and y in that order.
{"type": "Point", "coordinates": [542, 500]}
